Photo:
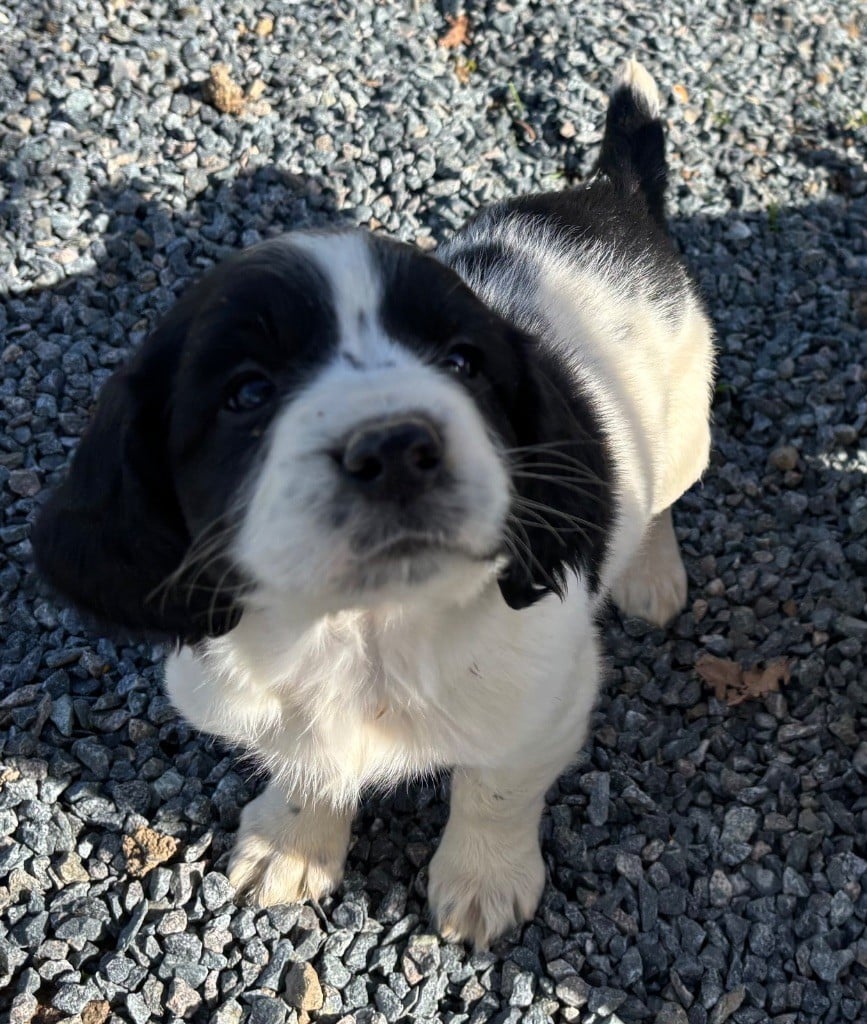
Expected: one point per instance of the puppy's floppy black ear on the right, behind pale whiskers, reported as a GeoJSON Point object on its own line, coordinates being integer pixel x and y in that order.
{"type": "Point", "coordinates": [562, 510]}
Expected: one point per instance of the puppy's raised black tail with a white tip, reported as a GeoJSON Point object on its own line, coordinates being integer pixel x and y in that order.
{"type": "Point", "coordinates": [634, 145]}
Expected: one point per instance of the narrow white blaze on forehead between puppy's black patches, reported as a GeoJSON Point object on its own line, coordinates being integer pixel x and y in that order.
{"type": "Point", "coordinates": [349, 266]}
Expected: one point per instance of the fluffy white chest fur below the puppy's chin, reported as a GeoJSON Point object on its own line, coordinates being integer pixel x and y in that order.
{"type": "Point", "coordinates": [362, 700]}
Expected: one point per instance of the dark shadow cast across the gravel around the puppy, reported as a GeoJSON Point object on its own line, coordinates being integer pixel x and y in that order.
{"type": "Point", "coordinates": [775, 550]}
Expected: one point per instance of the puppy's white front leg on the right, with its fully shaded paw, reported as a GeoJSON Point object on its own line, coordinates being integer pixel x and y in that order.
{"type": "Point", "coordinates": [488, 875]}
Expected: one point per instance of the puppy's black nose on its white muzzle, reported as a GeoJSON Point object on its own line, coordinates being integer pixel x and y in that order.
{"type": "Point", "coordinates": [395, 459]}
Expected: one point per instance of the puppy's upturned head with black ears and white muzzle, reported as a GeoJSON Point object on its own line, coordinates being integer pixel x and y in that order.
{"type": "Point", "coordinates": [329, 420]}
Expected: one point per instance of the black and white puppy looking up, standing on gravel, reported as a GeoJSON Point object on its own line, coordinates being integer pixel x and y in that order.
{"type": "Point", "coordinates": [378, 499]}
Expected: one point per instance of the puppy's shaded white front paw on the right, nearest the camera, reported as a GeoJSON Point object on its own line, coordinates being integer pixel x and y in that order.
{"type": "Point", "coordinates": [481, 888]}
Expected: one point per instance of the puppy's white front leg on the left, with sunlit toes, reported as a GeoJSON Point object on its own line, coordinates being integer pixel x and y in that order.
{"type": "Point", "coordinates": [289, 850]}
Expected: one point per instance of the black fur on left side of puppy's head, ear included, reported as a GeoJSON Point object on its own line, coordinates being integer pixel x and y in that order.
{"type": "Point", "coordinates": [152, 474]}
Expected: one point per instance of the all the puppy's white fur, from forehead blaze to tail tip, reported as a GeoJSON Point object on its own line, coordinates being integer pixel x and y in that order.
{"type": "Point", "coordinates": [338, 686]}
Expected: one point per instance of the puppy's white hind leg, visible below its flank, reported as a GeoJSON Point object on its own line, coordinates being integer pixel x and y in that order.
{"type": "Point", "coordinates": [654, 586]}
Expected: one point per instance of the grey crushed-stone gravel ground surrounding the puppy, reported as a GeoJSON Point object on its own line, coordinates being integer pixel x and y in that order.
{"type": "Point", "coordinates": [708, 863]}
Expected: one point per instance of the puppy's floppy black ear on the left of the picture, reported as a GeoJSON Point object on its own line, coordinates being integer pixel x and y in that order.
{"type": "Point", "coordinates": [113, 533]}
